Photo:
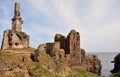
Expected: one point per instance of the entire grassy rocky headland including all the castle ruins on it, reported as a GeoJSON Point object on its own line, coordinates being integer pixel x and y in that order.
{"type": "Point", "coordinates": [61, 58]}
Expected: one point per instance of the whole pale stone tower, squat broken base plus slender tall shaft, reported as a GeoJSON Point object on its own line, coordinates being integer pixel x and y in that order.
{"type": "Point", "coordinates": [15, 38]}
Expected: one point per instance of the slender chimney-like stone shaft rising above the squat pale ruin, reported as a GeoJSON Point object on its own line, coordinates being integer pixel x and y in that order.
{"type": "Point", "coordinates": [17, 20]}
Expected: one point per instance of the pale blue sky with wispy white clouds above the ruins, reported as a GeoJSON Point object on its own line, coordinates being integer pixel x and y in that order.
{"type": "Point", "coordinates": [97, 21]}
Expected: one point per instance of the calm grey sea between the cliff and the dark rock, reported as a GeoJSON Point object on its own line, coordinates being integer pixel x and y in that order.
{"type": "Point", "coordinates": [106, 59]}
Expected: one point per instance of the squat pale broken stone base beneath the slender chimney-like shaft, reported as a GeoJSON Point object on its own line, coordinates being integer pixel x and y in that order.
{"type": "Point", "coordinates": [12, 39]}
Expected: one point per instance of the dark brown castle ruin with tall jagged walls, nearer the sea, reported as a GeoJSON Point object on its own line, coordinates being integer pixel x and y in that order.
{"type": "Point", "coordinates": [70, 45]}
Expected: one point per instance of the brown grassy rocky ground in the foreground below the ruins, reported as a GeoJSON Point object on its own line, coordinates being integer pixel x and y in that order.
{"type": "Point", "coordinates": [22, 65]}
